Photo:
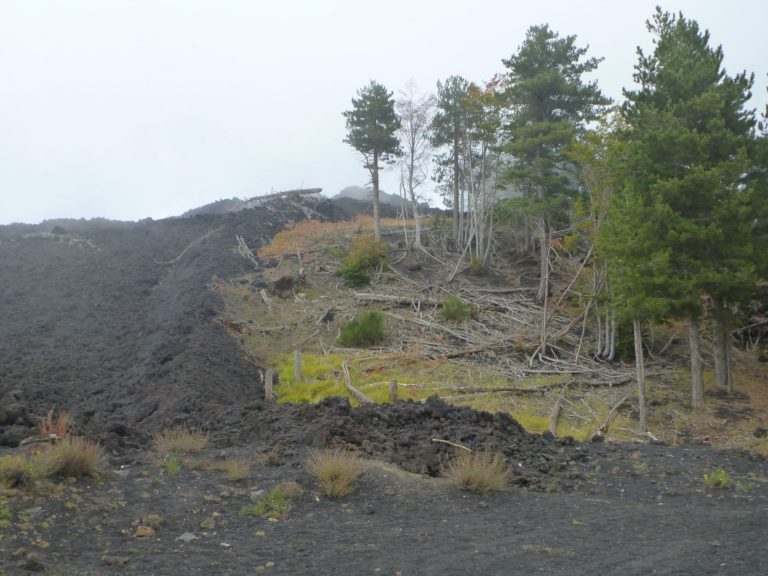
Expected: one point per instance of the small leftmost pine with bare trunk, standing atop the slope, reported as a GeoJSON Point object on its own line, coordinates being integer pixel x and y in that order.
{"type": "Point", "coordinates": [371, 130]}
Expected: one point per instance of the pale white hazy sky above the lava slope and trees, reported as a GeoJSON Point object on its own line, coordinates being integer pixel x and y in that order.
{"type": "Point", "coordinates": [128, 109]}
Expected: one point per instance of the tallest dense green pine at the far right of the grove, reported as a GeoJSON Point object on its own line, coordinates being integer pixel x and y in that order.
{"type": "Point", "coordinates": [688, 149]}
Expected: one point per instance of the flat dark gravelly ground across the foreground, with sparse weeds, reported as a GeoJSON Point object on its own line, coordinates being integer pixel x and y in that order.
{"type": "Point", "coordinates": [636, 510]}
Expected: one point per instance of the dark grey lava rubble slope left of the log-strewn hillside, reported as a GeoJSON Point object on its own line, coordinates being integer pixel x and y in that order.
{"type": "Point", "coordinates": [114, 321]}
